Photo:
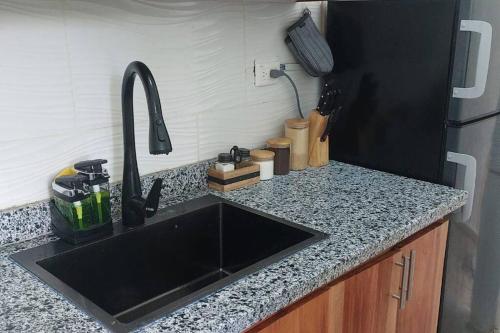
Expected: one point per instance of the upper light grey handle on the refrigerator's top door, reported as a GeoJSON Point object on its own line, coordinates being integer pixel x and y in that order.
{"type": "Point", "coordinates": [485, 30]}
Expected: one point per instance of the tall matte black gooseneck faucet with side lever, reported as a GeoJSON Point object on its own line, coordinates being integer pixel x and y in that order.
{"type": "Point", "coordinates": [134, 207]}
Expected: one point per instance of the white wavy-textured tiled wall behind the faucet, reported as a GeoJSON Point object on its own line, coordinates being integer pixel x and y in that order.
{"type": "Point", "coordinates": [61, 65]}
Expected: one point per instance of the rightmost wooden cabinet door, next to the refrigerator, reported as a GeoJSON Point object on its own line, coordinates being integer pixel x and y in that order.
{"type": "Point", "coordinates": [426, 253]}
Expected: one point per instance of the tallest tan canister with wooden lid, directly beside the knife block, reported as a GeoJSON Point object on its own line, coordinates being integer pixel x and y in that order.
{"type": "Point", "coordinates": [298, 131]}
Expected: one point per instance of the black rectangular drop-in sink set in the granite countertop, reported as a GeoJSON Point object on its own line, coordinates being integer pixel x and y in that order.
{"type": "Point", "coordinates": [184, 253]}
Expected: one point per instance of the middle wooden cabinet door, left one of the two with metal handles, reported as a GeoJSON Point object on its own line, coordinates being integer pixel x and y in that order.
{"type": "Point", "coordinates": [367, 298]}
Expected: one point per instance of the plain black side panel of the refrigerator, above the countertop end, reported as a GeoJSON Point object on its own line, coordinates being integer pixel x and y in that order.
{"type": "Point", "coordinates": [393, 60]}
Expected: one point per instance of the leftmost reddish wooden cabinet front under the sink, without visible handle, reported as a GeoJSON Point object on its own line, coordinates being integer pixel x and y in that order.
{"type": "Point", "coordinates": [309, 315]}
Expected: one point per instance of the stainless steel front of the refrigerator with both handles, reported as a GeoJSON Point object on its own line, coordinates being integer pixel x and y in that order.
{"type": "Point", "coordinates": [471, 298]}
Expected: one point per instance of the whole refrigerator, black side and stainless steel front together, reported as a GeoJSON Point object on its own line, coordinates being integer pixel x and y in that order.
{"type": "Point", "coordinates": [422, 99]}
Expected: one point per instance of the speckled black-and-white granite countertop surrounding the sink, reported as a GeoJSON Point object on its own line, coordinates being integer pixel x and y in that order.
{"type": "Point", "coordinates": [365, 212]}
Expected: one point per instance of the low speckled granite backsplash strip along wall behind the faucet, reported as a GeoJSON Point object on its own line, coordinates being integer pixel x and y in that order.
{"type": "Point", "coordinates": [22, 223]}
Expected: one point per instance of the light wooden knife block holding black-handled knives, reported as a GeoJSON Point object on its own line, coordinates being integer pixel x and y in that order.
{"type": "Point", "coordinates": [318, 151]}
